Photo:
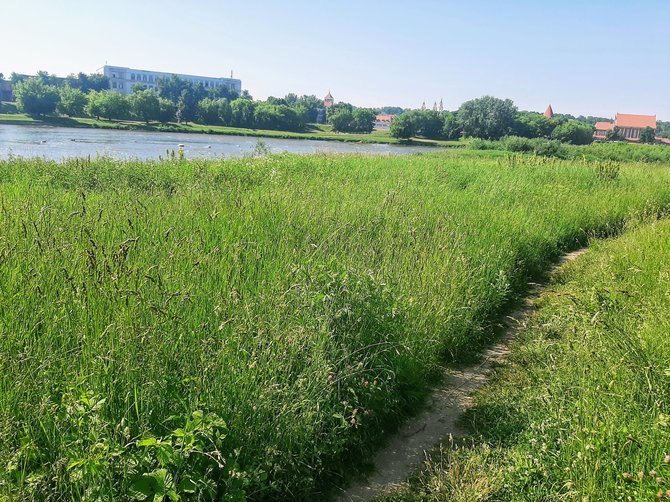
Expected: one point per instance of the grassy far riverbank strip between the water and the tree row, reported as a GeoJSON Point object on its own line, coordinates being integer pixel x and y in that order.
{"type": "Point", "coordinates": [315, 132]}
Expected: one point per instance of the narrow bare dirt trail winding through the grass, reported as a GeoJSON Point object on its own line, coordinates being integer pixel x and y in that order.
{"type": "Point", "coordinates": [406, 450]}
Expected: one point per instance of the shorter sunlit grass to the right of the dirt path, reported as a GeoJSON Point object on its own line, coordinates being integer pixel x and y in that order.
{"type": "Point", "coordinates": [582, 411]}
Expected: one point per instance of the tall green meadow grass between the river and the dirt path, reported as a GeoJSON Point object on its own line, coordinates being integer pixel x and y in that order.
{"type": "Point", "coordinates": [253, 327]}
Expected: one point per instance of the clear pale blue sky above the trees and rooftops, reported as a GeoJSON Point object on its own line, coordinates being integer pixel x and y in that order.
{"type": "Point", "coordinates": [590, 57]}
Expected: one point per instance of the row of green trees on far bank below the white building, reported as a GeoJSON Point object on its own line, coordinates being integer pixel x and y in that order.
{"type": "Point", "coordinates": [174, 100]}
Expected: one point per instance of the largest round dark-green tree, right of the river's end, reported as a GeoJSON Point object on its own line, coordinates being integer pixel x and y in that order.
{"type": "Point", "coordinates": [487, 117]}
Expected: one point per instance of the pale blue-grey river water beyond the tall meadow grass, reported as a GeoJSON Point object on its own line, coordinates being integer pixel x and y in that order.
{"type": "Point", "coordinates": [58, 143]}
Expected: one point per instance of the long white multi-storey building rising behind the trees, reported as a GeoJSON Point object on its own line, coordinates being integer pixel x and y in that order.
{"type": "Point", "coordinates": [122, 79]}
